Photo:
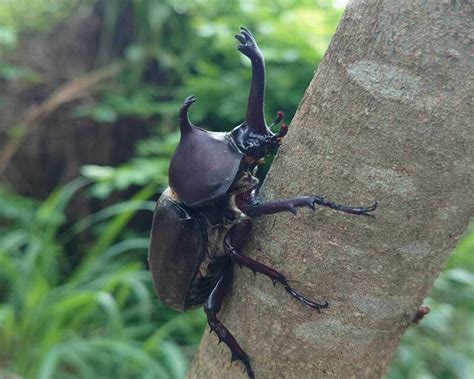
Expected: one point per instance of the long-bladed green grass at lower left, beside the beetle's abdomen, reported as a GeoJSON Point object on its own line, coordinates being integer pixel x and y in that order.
{"type": "Point", "coordinates": [100, 320]}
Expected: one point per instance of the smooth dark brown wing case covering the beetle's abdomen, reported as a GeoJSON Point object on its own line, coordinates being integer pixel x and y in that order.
{"type": "Point", "coordinates": [176, 250]}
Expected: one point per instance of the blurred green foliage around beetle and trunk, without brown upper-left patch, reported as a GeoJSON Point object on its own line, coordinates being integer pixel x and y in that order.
{"type": "Point", "coordinates": [76, 299]}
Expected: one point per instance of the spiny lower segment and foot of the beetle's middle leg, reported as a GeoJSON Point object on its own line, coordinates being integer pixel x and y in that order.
{"type": "Point", "coordinates": [274, 275]}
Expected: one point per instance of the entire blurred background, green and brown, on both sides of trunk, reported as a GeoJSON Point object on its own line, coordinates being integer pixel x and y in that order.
{"type": "Point", "coordinates": [89, 93]}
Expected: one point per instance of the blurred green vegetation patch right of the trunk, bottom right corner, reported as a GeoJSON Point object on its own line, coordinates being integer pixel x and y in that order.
{"type": "Point", "coordinates": [441, 345]}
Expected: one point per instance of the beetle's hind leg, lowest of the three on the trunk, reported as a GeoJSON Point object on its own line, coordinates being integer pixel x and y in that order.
{"type": "Point", "coordinates": [212, 306]}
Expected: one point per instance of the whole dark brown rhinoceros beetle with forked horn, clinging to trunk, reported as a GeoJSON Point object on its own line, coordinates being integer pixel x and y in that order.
{"type": "Point", "coordinates": [202, 219]}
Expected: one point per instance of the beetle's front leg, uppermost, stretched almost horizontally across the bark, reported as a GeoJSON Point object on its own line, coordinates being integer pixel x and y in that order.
{"type": "Point", "coordinates": [254, 208]}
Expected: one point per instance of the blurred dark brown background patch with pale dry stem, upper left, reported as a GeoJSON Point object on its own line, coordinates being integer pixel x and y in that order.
{"type": "Point", "coordinates": [56, 144]}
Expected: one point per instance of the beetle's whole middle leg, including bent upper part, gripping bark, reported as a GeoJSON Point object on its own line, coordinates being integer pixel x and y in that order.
{"type": "Point", "coordinates": [233, 243]}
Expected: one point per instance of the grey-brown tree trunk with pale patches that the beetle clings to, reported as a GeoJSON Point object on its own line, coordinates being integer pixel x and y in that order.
{"type": "Point", "coordinates": [386, 118]}
